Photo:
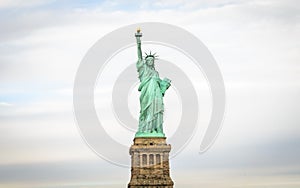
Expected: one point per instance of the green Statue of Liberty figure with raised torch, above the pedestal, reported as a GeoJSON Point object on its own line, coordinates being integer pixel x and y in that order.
{"type": "Point", "coordinates": [152, 90]}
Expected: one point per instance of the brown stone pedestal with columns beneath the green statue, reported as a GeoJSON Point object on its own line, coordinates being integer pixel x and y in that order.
{"type": "Point", "coordinates": [150, 163]}
